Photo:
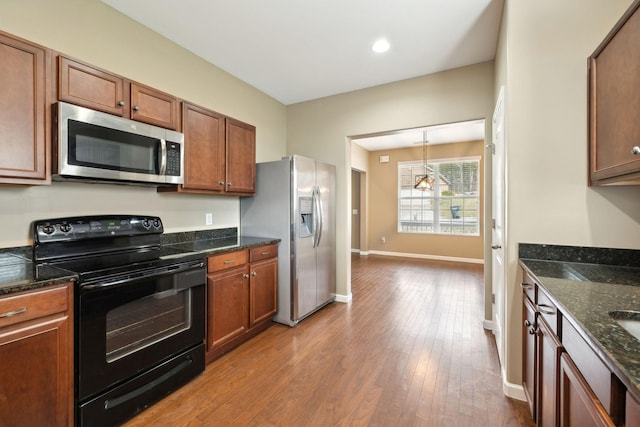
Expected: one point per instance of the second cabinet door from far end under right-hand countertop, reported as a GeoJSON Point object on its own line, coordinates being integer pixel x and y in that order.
{"type": "Point", "coordinates": [549, 349]}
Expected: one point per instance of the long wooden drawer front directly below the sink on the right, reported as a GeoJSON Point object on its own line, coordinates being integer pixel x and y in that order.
{"type": "Point", "coordinates": [605, 385]}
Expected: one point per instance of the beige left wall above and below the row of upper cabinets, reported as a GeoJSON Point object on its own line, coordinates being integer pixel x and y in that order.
{"type": "Point", "coordinates": [91, 31]}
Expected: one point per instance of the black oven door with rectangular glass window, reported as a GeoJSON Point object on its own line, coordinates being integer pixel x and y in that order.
{"type": "Point", "coordinates": [128, 325]}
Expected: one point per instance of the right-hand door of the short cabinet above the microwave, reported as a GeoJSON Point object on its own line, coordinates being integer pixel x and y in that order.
{"type": "Point", "coordinates": [153, 106]}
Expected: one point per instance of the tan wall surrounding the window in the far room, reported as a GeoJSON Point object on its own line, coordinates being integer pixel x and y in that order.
{"type": "Point", "coordinates": [383, 207]}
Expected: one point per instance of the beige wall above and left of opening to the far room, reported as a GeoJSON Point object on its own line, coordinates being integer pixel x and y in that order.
{"type": "Point", "coordinates": [320, 128]}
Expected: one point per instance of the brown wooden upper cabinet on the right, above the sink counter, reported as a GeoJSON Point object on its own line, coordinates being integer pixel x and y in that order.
{"type": "Point", "coordinates": [614, 104]}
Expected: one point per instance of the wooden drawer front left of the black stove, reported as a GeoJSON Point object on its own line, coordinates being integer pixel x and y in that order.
{"type": "Point", "coordinates": [32, 305]}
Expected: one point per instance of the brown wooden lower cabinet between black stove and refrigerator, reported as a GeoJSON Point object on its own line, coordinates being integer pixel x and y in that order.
{"type": "Point", "coordinates": [241, 297]}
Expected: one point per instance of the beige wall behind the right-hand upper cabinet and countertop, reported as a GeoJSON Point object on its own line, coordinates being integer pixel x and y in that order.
{"type": "Point", "coordinates": [542, 61]}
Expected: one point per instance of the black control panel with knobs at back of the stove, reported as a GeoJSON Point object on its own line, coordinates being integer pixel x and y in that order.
{"type": "Point", "coordinates": [90, 227]}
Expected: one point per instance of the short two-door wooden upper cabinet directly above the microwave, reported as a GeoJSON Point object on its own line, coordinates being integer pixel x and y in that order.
{"type": "Point", "coordinates": [91, 87]}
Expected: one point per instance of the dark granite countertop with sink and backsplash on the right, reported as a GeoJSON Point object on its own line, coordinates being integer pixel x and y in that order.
{"type": "Point", "coordinates": [586, 292]}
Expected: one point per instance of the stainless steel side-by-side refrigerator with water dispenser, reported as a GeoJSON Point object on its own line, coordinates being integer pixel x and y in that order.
{"type": "Point", "coordinates": [295, 201]}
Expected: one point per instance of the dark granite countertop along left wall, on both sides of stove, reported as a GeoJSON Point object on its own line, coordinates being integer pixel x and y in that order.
{"type": "Point", "coordinates": [18, 273]}
